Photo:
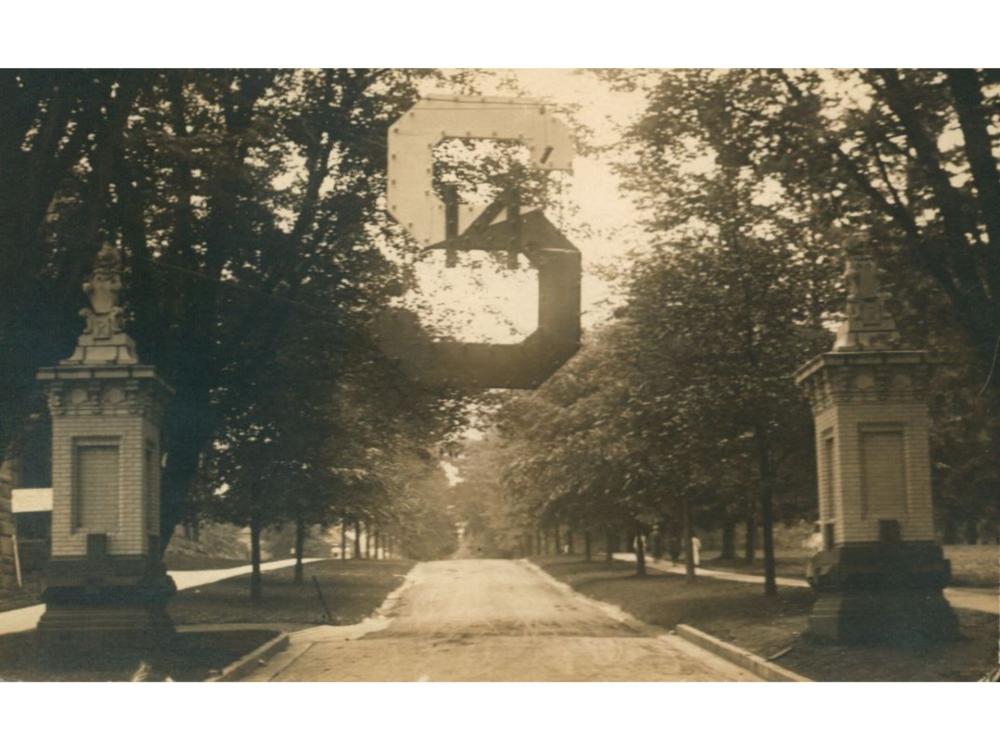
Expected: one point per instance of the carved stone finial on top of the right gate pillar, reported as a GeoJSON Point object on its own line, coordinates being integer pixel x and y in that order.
{"type": "Point", "coordinates": [868, 325]}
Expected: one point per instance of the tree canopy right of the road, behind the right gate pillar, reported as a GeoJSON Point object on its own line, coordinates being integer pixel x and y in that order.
{"type": "Point", "coordinates": [752, 184]}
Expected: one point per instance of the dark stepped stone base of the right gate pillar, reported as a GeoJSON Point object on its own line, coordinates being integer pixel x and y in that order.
{"type": "Point", "coordinates": [881, 593]}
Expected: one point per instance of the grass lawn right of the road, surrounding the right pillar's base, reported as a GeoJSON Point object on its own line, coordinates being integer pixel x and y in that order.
{"type": "Point", "coordinates": [739, 613]}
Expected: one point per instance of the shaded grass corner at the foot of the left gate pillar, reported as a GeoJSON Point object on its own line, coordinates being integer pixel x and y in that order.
{"type": "Point", "coordinates": [191, 657]}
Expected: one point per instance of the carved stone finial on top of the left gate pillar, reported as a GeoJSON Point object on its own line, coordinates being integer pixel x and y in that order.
{"type": "Point", "coordinates": [103, 340]}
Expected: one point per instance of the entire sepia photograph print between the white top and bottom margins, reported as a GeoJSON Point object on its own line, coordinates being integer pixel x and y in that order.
{"type": "Point", "coordinates": [499, 374]}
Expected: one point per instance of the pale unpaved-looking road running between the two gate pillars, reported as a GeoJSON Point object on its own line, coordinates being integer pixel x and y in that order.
{"type": "Point", "coordinates": [495, 620]}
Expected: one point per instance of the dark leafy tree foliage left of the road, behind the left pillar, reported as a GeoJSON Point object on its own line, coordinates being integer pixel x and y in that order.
{"type": "Point", "coordinates": [248, 204]}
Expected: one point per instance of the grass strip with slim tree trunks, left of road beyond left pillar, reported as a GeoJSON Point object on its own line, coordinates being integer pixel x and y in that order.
{"type": "Point", "coordinates": [352, 589]}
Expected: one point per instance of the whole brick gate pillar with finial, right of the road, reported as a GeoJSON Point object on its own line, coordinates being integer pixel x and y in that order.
{"type": "Point", "coordinates": [880, 574]}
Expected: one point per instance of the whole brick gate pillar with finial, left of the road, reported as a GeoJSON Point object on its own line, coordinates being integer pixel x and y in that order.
{"type": "Point", "coordinates": [106, 585]}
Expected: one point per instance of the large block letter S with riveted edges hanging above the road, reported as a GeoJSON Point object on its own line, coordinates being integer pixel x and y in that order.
{"type": "Point", "coordinates": [499, 228]}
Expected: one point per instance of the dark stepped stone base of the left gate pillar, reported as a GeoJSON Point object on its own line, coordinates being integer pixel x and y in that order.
{"type": "Point", "coordinates": [110, 605]}
